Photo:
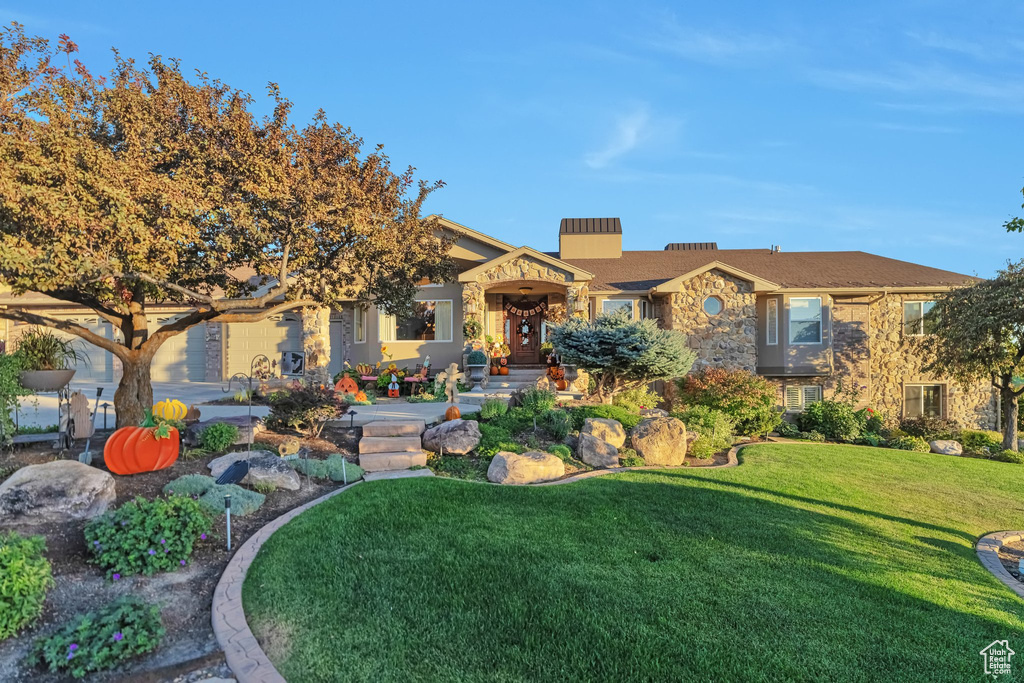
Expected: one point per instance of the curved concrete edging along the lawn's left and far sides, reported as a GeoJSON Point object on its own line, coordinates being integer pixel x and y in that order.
{"type": "Point", "coordinates": [245, 657]}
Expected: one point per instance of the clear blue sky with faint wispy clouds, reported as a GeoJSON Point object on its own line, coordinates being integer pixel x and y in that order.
{"type": "Point", "coordinates": [887, 127]}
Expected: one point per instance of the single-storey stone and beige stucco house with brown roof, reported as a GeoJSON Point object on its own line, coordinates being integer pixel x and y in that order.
{"type": "Point", "coordinates": [804, 320]}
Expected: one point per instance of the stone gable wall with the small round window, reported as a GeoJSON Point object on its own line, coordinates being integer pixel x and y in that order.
{"type": "Point", "coordinates": [728, 340]}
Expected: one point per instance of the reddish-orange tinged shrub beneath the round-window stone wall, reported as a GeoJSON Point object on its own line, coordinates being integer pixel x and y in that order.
{"type": "Point", "coordinates": [749, 400]}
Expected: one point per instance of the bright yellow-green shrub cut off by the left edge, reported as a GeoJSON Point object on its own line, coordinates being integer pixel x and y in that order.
{"type": "Point", "coordinates": [25, 579]}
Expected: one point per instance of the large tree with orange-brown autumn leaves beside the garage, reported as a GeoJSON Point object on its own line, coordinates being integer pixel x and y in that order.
{"type": "Point", "coordinates": [148, 187]}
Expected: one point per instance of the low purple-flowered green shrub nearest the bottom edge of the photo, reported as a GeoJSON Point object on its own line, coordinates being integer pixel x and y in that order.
{"type": "Point", "coordinates": [103, 639]}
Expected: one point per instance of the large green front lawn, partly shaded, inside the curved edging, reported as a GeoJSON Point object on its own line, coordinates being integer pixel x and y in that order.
{"type": "Point", "coordinates": [835, 564]}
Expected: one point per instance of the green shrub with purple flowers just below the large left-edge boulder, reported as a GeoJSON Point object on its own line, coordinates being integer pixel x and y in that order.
{"type": "Point", "coordinates": [145, 537]}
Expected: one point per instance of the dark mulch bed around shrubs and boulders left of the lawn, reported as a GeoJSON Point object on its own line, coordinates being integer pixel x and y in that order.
{"type": "Point", "coordinates": [190, 646]}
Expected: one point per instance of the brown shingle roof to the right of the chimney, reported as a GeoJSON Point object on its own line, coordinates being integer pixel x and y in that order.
{"type": "Point", "coordinates": [644, 270]}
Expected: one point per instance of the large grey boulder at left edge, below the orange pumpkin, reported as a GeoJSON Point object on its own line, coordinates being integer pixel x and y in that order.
{"type": "Point", "coordinates": [56, 492]}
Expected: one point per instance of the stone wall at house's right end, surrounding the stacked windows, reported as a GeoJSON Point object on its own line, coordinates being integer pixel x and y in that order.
{"type": "Point", "coordinates": [894, 363]}
